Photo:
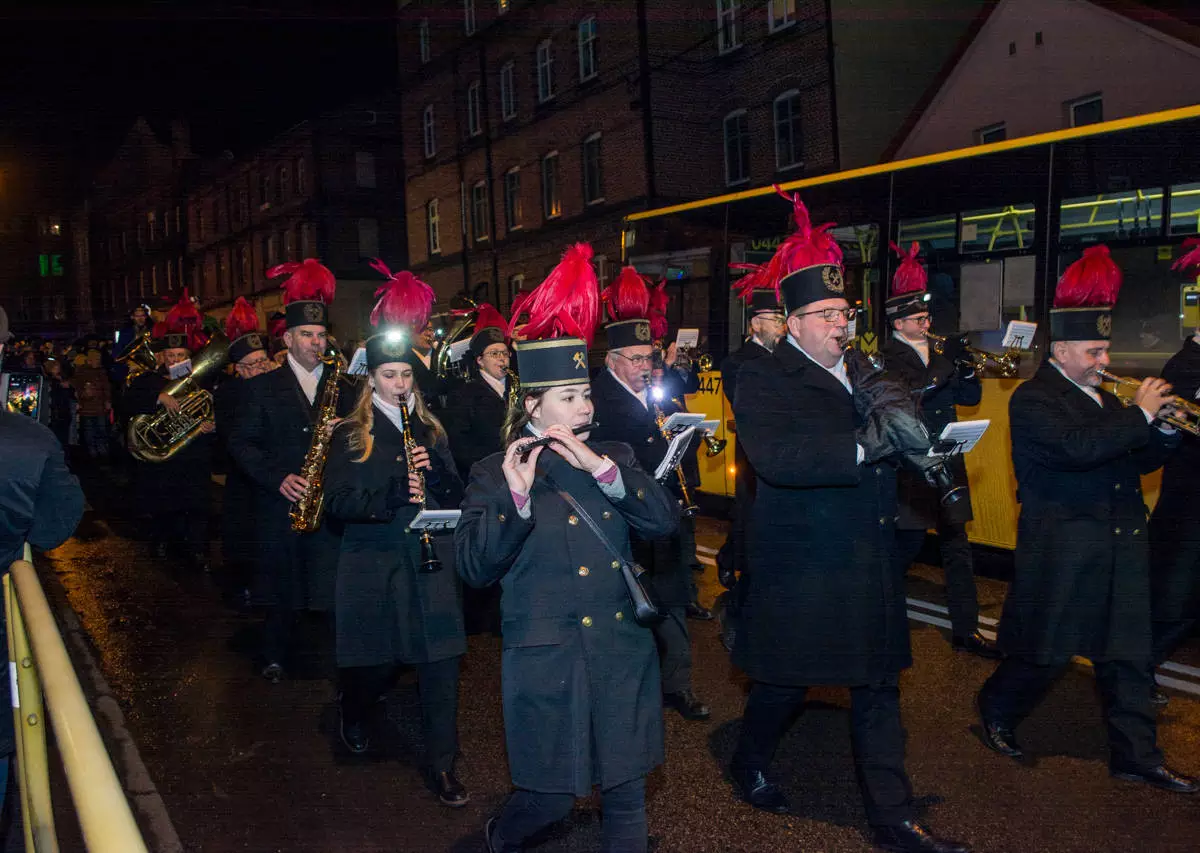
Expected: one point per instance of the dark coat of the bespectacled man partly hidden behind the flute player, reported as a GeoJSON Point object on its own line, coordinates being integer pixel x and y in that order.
{"type": "Point", "coordinates": [622, 418]}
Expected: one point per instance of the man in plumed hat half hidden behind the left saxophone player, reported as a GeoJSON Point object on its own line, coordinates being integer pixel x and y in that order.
{"type": "Point", "coordinates": [248, 353]}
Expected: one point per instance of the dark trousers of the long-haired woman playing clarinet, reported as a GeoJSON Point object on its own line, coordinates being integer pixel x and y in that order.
{"type": "Point", "coordinates": [439, 684]}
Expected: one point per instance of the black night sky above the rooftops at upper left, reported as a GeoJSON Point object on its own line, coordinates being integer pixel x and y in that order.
{"type": "Point", "coordinates": [76, 76]}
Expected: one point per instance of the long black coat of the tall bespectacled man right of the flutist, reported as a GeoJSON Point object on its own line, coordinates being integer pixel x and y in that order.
{"type": "Point", "coordinates": [824, 605]}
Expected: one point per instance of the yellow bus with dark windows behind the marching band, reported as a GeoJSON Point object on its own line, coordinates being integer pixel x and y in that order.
{"type": "Point", "coordinates": [998, 225]}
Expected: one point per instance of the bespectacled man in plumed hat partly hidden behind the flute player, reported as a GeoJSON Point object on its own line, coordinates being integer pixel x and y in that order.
{"type": "Point", "coordinates": [626, 412]}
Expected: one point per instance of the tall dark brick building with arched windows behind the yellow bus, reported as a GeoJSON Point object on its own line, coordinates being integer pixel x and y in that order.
{"type": "Point", "coordinates": [530, 125]}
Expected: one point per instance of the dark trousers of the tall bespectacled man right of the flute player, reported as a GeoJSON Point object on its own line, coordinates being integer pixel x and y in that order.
{"type": "Point", "coordinates": [877, 735]}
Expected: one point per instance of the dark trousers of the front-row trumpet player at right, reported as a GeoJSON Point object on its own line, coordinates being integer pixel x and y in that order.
{"type": "Point", "coordinates": [1017, 687]}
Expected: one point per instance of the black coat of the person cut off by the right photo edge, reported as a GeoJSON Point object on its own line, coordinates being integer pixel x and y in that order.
{"type": "Point", "coordinates": [1174, 533]}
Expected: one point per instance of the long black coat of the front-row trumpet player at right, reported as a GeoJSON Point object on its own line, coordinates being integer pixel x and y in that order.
{"type": "Point", "coordinates": [1082, 581]}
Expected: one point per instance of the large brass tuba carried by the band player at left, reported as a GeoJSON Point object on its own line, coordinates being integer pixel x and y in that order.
{"type": "Point", "coordinates": [159, 437]}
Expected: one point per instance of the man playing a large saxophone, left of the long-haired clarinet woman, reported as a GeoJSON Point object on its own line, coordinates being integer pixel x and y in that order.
{"type": "Point", "coordinates": [271, 438]}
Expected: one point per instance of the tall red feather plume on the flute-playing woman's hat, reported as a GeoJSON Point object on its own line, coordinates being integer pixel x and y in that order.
{"type": "Point", "coordinates": [568, 303]}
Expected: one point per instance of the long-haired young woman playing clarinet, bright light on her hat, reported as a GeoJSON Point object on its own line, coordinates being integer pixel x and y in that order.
{"type": "Point", "coordinates": [388, 611]}
